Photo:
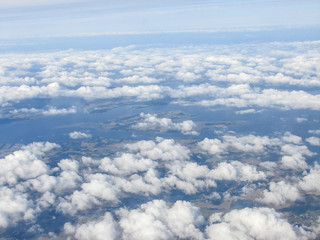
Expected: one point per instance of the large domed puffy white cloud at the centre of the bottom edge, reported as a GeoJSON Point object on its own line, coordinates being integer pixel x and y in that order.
{"type": "Point", "coordinates": [156, 220]}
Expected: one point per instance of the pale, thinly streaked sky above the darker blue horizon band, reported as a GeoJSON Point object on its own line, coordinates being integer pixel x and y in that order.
{"type": "Point", "coordinates": [36, 18]}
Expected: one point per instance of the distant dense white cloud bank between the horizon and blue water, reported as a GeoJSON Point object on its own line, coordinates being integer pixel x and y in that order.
{"type": "Point", "coordinates": [100, 75]}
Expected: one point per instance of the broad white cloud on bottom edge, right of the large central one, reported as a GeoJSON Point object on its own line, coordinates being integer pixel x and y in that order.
{"type": "Point", "coordinates": [253, 223]}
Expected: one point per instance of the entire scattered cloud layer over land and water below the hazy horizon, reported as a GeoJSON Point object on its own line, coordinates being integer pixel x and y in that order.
{"type": "Point", "coordinates": [204, 178]}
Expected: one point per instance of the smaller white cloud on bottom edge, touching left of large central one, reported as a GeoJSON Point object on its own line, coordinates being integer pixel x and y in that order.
{"type": "Point", "coordinates": [102, 228]}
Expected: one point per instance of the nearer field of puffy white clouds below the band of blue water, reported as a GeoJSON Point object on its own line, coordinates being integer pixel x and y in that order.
{"type": "Point", "coordinates": [154, 168]}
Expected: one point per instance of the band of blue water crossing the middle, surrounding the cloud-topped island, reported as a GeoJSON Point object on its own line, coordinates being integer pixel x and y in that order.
{"type": "Point", "coordinates": [56, 128]}
